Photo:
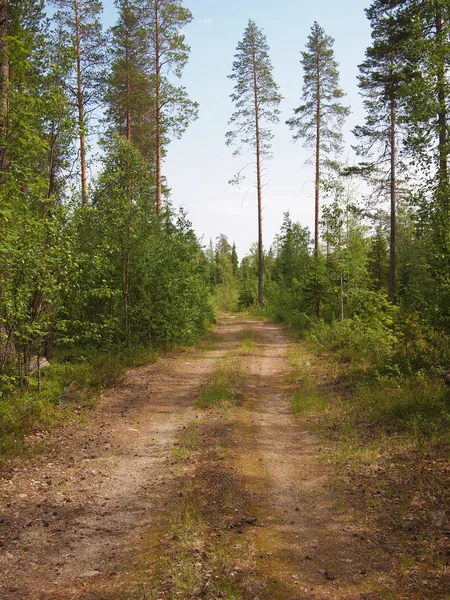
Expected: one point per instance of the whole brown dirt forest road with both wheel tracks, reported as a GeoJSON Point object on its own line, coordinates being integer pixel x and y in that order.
{"type": "Point", "coordinates": [76, 521]}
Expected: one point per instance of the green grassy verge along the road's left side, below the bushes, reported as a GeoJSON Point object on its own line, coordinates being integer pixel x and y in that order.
{"type": "Point", "coordinates": [67, 389]}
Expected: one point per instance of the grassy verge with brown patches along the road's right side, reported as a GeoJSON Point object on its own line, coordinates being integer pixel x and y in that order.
{"type": "Point", "coordinates": [387, 438]}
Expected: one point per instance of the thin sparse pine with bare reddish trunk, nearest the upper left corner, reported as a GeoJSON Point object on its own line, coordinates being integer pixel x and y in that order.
{"type": "Point", "coordinates": [81, 21]}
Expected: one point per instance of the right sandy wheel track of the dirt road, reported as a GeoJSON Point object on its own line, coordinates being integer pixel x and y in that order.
{"type": "Point", "coordinates": [305, 548]}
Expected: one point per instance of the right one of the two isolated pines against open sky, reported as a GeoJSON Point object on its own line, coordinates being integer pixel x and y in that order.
{"type": "Point", "coordinates": [320, 119]}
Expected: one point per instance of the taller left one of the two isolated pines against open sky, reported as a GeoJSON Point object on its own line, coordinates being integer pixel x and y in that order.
{"type": "Point", "coordinates": [256, 98]}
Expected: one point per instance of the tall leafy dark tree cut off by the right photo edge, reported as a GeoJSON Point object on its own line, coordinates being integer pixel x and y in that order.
{"type": "Point", "coordinates": [425, 24]}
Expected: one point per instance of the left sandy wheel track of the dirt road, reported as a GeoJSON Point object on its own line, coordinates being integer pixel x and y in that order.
{"type": "Point", "coordinates": [75, 519]}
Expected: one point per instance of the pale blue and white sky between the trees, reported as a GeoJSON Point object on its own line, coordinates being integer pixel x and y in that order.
{"type": "Point", "coordinates": [199, 166]}
